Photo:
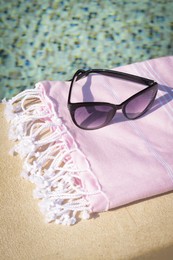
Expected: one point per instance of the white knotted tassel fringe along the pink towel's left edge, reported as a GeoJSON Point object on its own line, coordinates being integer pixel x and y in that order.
{"type": "Point", "coordinates": [42, 144]}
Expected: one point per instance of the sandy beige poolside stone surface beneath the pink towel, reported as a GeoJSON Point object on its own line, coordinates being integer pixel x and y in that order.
{"type": "Point", "coordinates": [139, 231]}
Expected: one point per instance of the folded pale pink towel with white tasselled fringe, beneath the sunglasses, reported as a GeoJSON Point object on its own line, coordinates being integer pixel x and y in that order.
{"type": "Point", "coordinates": [78, 171]}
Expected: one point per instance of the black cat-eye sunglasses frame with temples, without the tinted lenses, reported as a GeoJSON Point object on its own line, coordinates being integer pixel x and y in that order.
{"type": "Point", "coordinates": [111, 73]}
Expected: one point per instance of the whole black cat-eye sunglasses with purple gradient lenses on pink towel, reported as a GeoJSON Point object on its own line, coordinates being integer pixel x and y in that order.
{"type": "Point", "coordinates": [94, 115]}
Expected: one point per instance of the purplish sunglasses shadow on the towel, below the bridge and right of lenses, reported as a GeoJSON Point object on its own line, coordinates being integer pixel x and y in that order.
{"type": "Point", "coordinates": [158, 103]}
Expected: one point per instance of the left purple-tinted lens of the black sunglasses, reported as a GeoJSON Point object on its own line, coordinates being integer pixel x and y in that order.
{"type": "Point", "coordinates": [94, 116]}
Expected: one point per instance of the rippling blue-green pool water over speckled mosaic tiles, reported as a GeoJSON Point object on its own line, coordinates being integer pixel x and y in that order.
{"type": "Point", "coordinates": [52, 39]}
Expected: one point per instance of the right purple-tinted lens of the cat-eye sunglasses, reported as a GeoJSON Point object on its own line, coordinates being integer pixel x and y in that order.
{"type": "Point", "coordinates": [141, 103]}
